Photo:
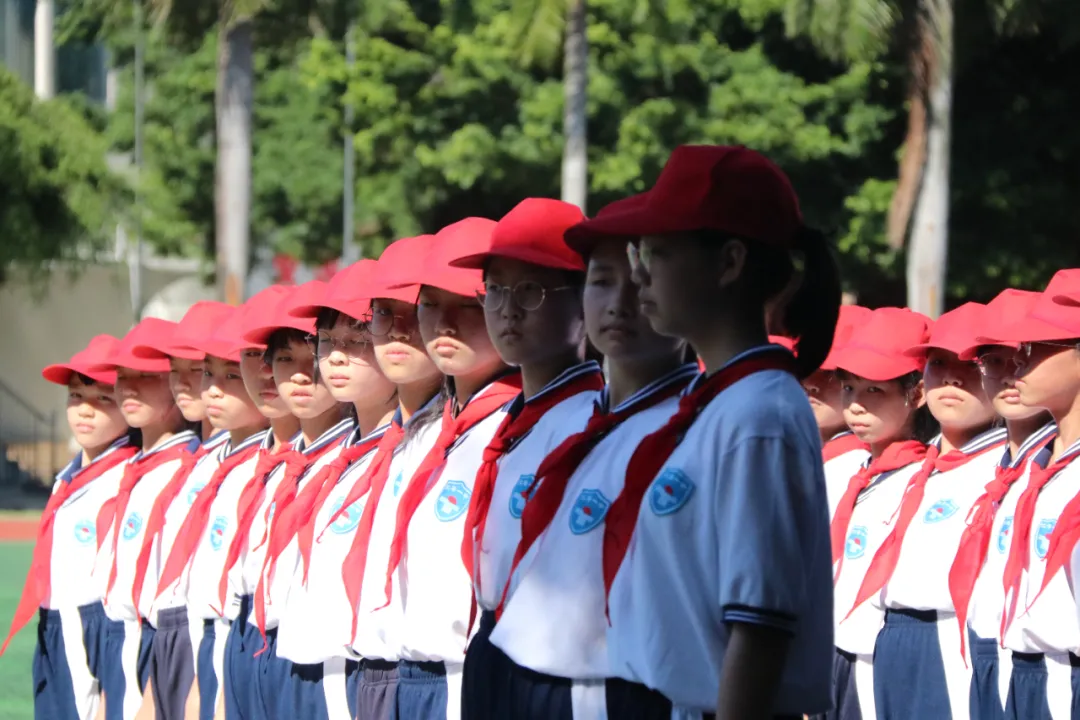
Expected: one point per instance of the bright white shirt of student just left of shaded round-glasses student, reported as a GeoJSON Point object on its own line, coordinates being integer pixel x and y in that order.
{"type": "Point", "coordinates": [431, 583]}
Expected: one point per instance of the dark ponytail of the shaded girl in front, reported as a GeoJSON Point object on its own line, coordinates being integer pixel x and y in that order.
{"type": "Point", "coordinates": [813, 311]}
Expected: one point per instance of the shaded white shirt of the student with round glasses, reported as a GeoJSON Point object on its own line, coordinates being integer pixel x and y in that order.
{"type": "Point", "coordinates": [517, 473]}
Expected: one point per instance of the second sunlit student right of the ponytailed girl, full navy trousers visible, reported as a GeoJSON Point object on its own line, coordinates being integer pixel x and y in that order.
{"type": "Point", "coordinates": [908, 578]}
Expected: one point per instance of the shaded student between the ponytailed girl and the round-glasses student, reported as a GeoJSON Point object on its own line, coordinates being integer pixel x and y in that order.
{"type": "Point", "coordinates": [551, 622]}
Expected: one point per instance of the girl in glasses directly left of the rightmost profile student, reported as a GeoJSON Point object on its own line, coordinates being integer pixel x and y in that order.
{"type": "Point", "coordinates": [976, 576]}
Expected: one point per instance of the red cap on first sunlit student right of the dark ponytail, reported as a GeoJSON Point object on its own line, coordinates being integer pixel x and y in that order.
{"type": "Point", "coordinates": [876, 349]}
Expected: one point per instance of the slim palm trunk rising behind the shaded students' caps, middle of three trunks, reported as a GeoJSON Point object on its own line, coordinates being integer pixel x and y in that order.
{"type": "Point", "coordinates": [575, 111]}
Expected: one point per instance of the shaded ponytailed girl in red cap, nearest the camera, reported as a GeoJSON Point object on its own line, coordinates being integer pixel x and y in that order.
{"type": "Point", "coordinates": [726, 501]}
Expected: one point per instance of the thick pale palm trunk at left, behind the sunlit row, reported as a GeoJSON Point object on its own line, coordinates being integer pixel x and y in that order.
{"type": "Point", "coordinates": [236, 80]}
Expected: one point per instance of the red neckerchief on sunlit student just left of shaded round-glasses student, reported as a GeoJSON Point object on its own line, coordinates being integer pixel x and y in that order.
{"type": "Point", "coordinates": [476, 411]}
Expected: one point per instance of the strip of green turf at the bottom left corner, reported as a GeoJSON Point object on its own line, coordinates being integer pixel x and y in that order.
{"type": "Point", "coordinates": [17, 697]}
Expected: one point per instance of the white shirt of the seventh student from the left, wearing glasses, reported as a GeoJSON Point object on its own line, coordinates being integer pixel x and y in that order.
{"type": "Point", "coordinates": [317, 619]}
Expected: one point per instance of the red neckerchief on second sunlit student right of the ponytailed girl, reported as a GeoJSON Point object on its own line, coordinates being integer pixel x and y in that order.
{"type": "Point", "coordinates": [885, 561]}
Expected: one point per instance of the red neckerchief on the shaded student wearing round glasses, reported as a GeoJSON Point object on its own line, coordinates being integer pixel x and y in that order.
{"type": "Point", "coordinates": [514, 429]}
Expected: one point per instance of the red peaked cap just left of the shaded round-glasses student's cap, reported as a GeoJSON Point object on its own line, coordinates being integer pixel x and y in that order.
{"type": "Point", "coordinates": [465, 239]}
